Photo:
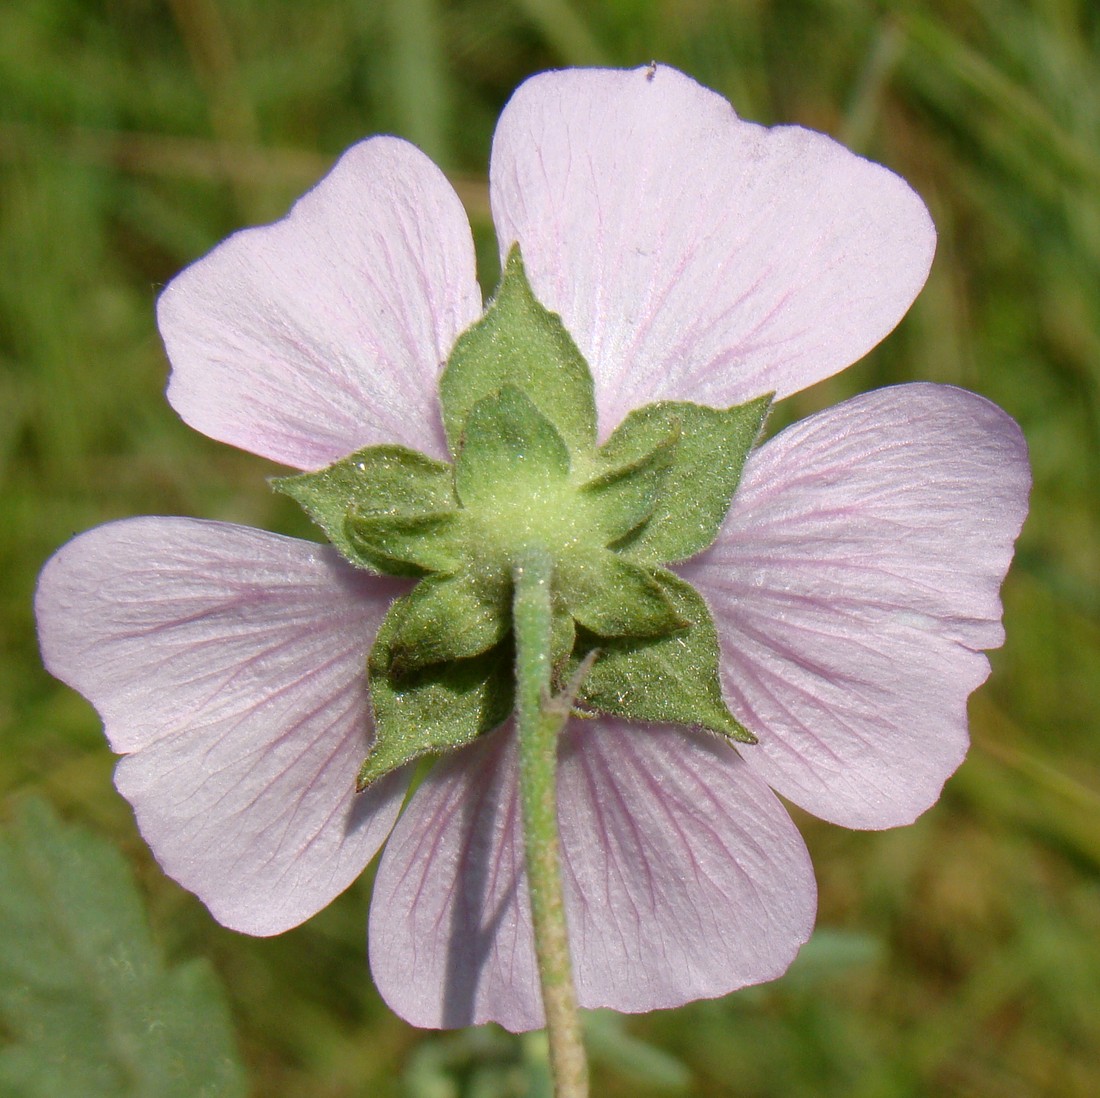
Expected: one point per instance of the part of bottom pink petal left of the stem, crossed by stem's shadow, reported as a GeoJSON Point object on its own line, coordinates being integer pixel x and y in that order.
{"type": "Point", "coordinates": [450, 935]}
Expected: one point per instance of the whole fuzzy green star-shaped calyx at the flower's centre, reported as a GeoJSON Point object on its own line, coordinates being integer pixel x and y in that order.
{"type": "Point", "coordinates": [519, 408]}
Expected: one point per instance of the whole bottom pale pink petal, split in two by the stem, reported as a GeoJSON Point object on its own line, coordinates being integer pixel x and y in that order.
{"type": "Point", "coordinates": [685, 879]}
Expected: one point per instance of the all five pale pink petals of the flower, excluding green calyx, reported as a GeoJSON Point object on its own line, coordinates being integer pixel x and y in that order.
{"type": "Point", "coordinates": [854, 584]}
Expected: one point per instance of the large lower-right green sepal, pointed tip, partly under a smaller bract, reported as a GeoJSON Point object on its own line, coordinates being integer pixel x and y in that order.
{"type": "Point", "coordinates": [672, 679]}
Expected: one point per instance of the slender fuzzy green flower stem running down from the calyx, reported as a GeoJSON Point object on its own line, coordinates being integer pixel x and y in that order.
{"type": "Point", "coordinates": [540, 721]}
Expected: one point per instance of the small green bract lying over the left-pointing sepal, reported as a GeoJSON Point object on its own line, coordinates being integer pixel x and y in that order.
{"type": "Point", "coordinates": [405, 544]}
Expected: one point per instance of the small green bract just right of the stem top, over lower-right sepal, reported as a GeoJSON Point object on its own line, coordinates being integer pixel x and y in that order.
{"type": "Point", "coordinates": [615, 598]}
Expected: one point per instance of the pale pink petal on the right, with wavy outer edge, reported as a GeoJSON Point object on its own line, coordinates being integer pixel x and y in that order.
{"type": "Point", "coordinates": [855, 584]}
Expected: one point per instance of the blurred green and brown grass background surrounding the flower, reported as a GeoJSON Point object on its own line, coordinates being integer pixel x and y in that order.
{"type": "Point", "coordinates": [959, 957]}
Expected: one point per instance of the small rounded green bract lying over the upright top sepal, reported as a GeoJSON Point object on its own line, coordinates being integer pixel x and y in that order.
{"type": "Point", "coordinates": [511, 455]}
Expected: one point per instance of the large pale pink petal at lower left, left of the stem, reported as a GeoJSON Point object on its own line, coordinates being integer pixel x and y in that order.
{"type": "Point", "coordinates": [230, 663]}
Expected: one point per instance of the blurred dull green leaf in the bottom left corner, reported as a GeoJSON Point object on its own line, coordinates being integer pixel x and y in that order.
{"type": "Point", "coordinates": [85, 996]}
